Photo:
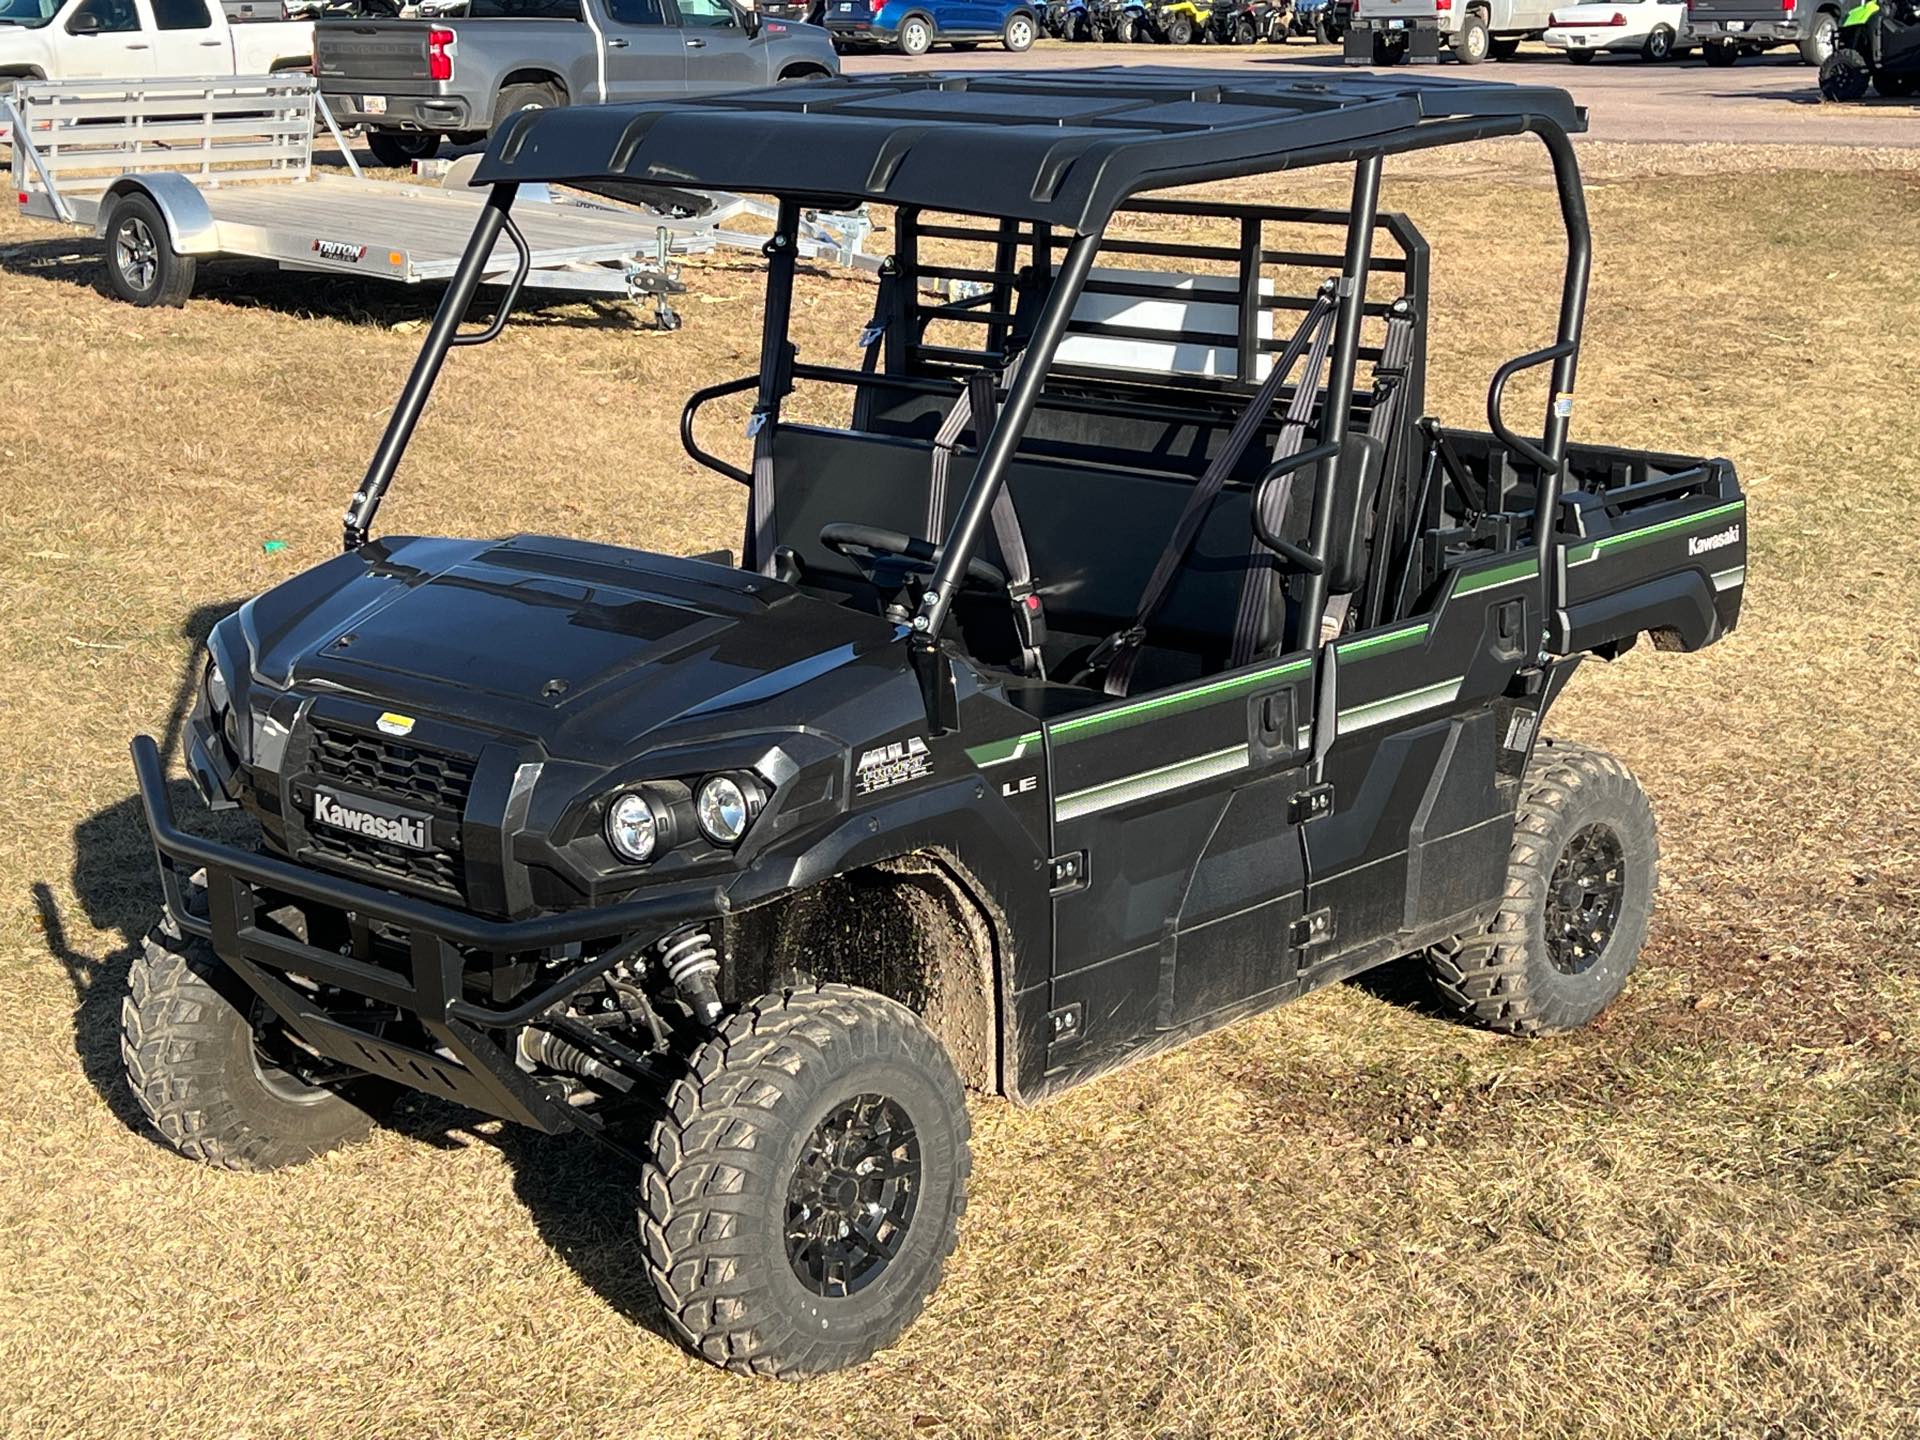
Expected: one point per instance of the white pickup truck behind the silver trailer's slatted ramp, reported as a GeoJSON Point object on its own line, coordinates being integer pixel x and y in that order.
{"type": "Point", "coordinates": [139, 39]}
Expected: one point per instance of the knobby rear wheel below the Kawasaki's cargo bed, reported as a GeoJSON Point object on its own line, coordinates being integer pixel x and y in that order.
{"type": "Point", "coordinates": [1577, 901]}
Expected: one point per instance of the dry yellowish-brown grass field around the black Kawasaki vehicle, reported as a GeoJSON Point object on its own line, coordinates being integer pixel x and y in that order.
{"type": "Point", "coordinates": [1349, 1218]}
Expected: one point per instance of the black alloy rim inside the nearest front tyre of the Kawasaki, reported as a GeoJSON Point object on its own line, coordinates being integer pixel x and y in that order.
{"type": "Point", "coordinates": [853, 1195]}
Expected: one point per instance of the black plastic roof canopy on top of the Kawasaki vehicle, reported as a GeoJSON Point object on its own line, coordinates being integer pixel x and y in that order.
{"type": "Point", "coordinates": [1057, 147]}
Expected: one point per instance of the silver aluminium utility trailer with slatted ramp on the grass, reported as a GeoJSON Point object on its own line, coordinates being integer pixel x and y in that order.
{"type": "Point", "coordinates": [178, 172]}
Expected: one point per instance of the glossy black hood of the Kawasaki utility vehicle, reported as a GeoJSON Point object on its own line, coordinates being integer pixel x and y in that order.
{"type": "Point", "coordinates": [583, 646]}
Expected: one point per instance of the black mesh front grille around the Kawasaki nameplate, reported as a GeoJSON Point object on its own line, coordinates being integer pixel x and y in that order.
{"type": "Point", "coordinates": [404, 775]}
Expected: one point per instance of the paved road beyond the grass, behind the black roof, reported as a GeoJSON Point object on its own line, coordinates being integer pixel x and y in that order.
{"type": "Point", "coordinates": [1762, 101]}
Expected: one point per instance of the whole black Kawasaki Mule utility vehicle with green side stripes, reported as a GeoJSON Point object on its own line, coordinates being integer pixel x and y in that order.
{"type": "Point", "coordinates": [1097, 683]}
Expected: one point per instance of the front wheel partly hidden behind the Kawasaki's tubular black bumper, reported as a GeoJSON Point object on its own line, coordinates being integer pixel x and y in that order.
{"type": "Point", "coordinates": [208, 1080]}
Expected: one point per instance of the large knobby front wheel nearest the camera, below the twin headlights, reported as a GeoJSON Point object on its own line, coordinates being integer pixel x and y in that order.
{"type": "Point", "coordinates": [807, 1182]}
